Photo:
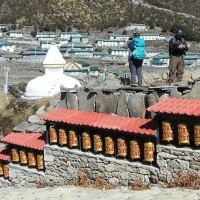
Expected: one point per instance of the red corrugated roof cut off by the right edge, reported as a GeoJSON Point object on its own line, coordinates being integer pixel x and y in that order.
{"type": "Point", "coordinates": [177, 106]}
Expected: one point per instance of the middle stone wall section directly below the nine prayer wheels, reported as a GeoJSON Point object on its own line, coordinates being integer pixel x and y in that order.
{"type": "Point", "coordinates": [63, 165]}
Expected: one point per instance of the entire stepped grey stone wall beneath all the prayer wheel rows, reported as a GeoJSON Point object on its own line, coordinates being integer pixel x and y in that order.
{"type": "Point", "coordinates": [63, 164]}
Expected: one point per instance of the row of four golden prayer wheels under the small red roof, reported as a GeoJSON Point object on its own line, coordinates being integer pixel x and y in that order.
{"type": "Point", "coordinates": [29, 158]}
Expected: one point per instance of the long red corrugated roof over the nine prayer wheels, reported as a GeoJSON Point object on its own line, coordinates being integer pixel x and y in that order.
{"type": "Point", "coordinates": [102, 120]}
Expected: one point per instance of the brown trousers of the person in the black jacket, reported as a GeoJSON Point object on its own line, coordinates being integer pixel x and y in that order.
{"type": "Point", "coordinates": [176, 68]}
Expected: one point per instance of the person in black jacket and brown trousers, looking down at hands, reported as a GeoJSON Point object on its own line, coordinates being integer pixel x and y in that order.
{"type": "Point", "coordinates": [177, 50]}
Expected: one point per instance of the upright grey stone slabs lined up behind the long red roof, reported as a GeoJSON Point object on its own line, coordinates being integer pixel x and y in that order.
{"type": "Point", "coordinates": [121, 103]}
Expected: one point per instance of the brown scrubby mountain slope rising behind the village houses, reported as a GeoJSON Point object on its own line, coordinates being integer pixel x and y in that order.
{"type": "Point", "coordinates": [103, 14]}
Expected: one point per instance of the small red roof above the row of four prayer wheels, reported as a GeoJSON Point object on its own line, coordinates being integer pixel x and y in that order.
{"type": "Point", "coordinates": [29, 140]}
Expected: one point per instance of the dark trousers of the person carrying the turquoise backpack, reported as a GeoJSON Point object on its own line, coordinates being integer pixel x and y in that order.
{"type": "Point", "coordinates": [136, 71]}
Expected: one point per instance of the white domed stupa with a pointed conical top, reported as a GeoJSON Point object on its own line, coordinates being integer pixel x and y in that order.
{"type": "Point", "coordinates": [49, 84]}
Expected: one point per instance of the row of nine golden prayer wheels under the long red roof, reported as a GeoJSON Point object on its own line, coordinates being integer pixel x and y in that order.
{"type": "Point", "coordinates": [99, 144]}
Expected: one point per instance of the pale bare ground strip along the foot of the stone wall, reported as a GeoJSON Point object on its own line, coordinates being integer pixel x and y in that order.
{"type": "Point", "coordinates": [80, 193]}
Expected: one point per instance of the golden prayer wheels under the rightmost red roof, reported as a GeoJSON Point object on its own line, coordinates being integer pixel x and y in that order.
{"type": "Point", "coordinates": [184, 133]}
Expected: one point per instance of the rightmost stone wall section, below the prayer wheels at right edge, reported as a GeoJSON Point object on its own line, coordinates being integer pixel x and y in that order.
{"type": "Point", "coordinates": [172, 160]}
